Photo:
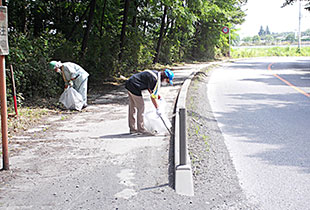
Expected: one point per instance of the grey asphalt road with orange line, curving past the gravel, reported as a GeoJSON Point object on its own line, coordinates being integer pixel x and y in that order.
{"type": "Point", "coordinates": [263, 109]}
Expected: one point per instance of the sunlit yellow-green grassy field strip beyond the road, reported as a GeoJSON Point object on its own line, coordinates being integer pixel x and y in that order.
{"type": "Point", "coordinates": [245, 52]}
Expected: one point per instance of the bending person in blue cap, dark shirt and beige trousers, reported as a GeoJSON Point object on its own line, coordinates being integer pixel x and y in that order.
{"type": "Point", "coordinates": [147, 80]}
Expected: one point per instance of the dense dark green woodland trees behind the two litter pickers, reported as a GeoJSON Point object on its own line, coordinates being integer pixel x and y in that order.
{"type": "Point", "coordinates": [109, 37]}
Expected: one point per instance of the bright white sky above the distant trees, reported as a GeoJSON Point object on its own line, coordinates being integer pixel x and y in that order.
{"type": "Point", "coordinates": [269, 13]}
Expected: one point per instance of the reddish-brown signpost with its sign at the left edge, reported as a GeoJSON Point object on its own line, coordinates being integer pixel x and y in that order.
{"type": "Point", "coordinates": [4, 50]}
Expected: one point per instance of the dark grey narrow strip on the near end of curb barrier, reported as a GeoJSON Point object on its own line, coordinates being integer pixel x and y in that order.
{"type": "Point", "coordinates": [182, 119]}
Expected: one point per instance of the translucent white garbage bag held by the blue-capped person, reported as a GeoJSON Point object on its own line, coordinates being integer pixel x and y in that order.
{"type": "Point", "coordinates": [152, 121]}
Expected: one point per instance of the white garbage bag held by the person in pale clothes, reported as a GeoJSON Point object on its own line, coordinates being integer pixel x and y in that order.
{"type": "Point", "coordinates": [71, 99]}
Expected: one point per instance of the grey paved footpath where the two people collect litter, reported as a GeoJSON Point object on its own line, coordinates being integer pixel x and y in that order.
{"type": "Point", "coordinates": [88, 160]}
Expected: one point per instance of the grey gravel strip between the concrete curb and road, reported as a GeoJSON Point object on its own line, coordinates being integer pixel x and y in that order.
{"type": "Point", "coordinates": [215, 178]}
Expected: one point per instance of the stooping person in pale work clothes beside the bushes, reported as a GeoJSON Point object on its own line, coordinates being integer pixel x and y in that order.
{"type": "Point", "coordinates": [73, 75]}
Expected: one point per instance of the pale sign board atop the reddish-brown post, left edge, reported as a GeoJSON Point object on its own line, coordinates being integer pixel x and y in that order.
{"type": "Point", "coordinates": [4, 43]}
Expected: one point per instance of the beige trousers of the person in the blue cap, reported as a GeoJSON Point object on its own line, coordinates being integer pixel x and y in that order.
{"type": "Point", "coordinates": [135, 103]}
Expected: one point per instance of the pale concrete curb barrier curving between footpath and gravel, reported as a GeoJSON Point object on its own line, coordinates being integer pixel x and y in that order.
{"type": "Point", "coordinates": [183, 170]}
